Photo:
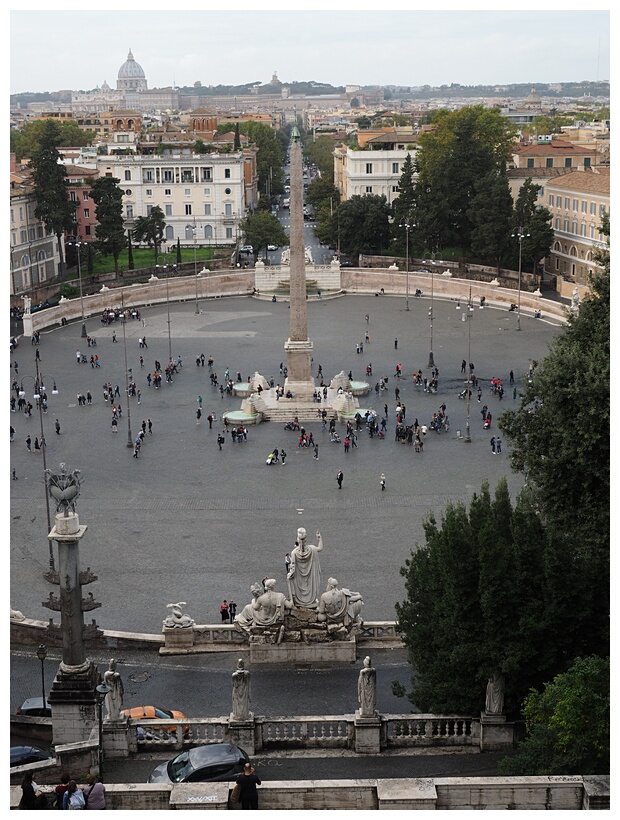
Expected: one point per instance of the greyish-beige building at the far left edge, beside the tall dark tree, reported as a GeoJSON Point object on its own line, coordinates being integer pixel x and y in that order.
{"type": "Point", "coordinates": [34, 251]}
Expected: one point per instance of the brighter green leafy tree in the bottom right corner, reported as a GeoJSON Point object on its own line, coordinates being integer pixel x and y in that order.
{"type": "Point", "coordinates": [567, 724]}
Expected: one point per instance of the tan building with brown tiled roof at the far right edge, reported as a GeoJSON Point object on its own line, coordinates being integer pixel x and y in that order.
{"type": "Point", "coordinates": [577, 201]}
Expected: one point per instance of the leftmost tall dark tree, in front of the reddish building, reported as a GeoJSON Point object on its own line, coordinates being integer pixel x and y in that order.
{"type": "Point", "coordinates": [51, 189]}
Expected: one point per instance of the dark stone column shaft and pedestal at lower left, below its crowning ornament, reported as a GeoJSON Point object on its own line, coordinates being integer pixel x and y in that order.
{"type": "Point", "coordinates": [72, 695]}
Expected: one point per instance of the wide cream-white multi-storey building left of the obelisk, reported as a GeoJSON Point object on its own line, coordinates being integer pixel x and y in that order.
{"type": "Point", "coordinates": [211, 192]}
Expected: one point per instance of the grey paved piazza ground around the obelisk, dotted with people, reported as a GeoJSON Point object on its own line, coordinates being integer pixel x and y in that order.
{"type": "Point", "coordinates": [186, 522]}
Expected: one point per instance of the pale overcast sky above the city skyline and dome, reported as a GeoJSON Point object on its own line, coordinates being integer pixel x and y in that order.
{"type": "Point", "coordinates": [75, 49]}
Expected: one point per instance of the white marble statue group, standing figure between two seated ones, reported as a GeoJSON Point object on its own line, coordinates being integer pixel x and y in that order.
{"type": "Point", "coordinates": [305, 614]}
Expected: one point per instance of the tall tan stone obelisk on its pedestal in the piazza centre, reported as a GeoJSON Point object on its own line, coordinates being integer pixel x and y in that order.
{"type": "Point", "coordinates": [298, 347]}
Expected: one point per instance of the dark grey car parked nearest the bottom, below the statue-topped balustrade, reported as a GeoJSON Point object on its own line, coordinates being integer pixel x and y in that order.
{"type": "Point", "coordinates": [217, 761]}
